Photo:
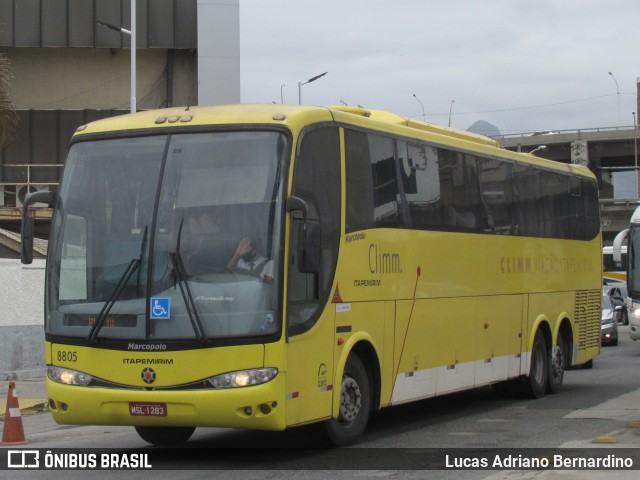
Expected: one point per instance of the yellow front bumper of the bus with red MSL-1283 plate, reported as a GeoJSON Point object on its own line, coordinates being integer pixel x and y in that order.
{"type": "Point", "coordinates": [257, 407]}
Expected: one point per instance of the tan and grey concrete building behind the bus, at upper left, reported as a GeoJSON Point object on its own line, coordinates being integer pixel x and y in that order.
{"type": "Point", "coordinates": [69, 69]}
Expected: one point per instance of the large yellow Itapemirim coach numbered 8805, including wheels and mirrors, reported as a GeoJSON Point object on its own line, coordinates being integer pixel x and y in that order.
{"type": "Point", "coordinates": [394, 260]}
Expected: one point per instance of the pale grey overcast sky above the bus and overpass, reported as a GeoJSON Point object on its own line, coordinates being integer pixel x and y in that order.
{"type": "Point", "coordinates": [521, 65]}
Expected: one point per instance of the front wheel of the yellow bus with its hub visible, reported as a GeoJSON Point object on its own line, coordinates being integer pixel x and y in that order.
{"type": "Point", "coordinates": [355, 405]}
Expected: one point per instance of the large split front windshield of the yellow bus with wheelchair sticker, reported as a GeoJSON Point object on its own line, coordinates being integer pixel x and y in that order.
{"type": "Point", "coordinates": [168, 237]}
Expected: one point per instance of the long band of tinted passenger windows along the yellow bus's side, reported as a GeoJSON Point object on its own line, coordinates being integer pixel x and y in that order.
{"type": "Point", "coordinates": [431, 188]}
